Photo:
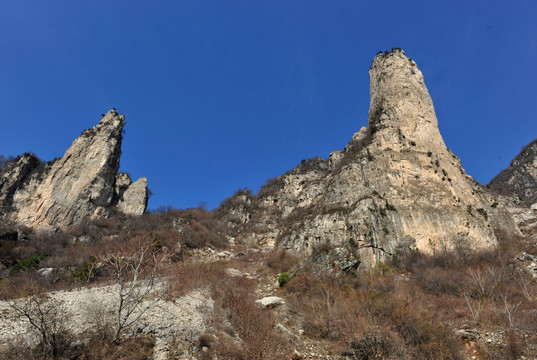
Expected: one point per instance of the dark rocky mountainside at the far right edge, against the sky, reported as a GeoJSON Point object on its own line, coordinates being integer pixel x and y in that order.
{"type": "Point", "coordinates": [520, 178]}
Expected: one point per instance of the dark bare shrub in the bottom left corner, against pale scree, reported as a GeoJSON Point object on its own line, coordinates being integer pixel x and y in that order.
{"type": "Point", "coordinates": [46, 316]}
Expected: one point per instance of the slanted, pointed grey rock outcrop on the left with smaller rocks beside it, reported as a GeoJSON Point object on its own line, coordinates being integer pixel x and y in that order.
{"type": "Point", "coordinates": [84, 182]}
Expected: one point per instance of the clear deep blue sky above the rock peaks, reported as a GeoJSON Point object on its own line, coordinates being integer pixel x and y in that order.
{"type": "Point", "coordinates": [221, 95]}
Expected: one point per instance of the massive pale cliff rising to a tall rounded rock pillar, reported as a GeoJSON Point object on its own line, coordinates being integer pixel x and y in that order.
{"type": "Point", "coordinates": [395, 185]}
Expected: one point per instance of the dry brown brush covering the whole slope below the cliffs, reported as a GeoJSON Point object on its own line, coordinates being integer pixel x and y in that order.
{"type": "Point", "coordinates": [408, 308]}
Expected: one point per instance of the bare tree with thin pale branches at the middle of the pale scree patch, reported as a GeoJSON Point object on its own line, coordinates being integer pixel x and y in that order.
{"type": "Point", "coordinates": [137, 269]}
